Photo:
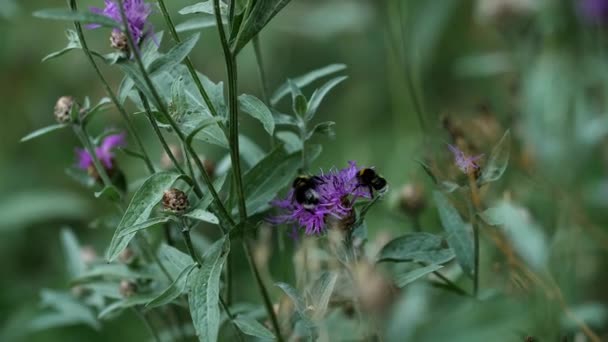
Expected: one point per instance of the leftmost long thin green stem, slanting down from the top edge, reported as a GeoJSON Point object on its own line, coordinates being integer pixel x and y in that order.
{"type": "Point", "coordinates": [111, 94]}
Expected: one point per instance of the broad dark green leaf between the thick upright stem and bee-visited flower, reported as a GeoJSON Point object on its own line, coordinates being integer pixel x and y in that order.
{"type": "Point", "coordinates": [268, 177]}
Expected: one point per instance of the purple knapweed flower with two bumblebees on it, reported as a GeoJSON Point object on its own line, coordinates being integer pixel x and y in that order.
{"type": "Point", "coordinates": [337, 192]}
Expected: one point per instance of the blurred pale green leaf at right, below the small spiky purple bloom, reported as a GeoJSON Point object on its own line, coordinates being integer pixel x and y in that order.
{"type": "Point", "coordinates": [525, 235]}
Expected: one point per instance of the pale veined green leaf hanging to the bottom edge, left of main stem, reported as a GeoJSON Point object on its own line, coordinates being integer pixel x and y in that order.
{"type": "Point", "coordinates": [205, 292]}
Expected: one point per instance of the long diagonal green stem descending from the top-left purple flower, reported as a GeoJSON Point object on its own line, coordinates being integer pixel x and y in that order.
{"type": "Point", "coordinates": [163, 109]}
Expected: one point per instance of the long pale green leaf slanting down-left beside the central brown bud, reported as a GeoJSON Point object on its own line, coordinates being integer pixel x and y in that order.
{"type": "Point", "coordinates": [148, 195]}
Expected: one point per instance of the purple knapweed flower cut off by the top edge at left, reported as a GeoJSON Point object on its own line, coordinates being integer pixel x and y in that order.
{"type": "Point", "coordinates": [137, 12]}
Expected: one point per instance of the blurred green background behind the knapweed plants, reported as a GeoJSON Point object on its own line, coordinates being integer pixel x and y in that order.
{"type": "Point", "coordinates": [473, 67]}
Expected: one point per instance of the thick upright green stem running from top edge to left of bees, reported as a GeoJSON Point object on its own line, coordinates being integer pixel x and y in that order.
{"type": "Point", "coordinates": [234, 112]}
